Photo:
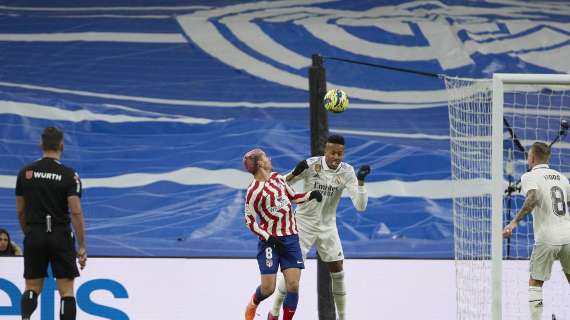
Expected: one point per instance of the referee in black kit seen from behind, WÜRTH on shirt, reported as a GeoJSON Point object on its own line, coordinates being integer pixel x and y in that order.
{"type": "Point", "coordinates": [46, 193]}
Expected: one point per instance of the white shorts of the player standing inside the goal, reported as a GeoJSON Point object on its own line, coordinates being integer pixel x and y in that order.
{"type": "Point", "coordinates": [544, 255]}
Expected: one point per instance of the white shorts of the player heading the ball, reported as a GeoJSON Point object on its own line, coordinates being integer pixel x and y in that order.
{"type": "Point", "coordinates": [326, 242]}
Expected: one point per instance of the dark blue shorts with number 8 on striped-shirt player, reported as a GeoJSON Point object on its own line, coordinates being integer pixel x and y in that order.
{"type": "Point", "coordinates": [269, 259]}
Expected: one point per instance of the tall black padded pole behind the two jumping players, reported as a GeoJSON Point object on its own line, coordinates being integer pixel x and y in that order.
{"type": "Point", "coordinates": [319, 132]}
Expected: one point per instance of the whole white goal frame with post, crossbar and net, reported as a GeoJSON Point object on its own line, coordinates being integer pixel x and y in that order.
{"type": "Point", "coordinates": [492, 122]}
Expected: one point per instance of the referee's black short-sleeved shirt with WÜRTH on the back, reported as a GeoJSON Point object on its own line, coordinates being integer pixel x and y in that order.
{"type": "Point", "coordinates": [45, 185]}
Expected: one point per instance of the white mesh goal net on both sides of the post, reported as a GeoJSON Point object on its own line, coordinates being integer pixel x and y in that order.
{"type": "Point", "coordinates": [531, 113]}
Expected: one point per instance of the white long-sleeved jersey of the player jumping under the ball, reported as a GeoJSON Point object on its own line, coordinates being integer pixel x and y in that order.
{"type": "Point", "coordinates": [317, 216]}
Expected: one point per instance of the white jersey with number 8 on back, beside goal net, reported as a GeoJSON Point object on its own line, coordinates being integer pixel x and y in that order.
{"type": "Point", "coordinates": [551, 222]}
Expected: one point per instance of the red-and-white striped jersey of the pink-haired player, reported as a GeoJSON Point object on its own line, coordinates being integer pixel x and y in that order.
{"type": "Point", "coordinates": [271, 201]}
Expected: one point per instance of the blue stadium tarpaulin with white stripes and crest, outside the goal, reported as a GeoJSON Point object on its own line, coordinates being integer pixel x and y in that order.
{"type": "Point", "coordinates": [161, 99]}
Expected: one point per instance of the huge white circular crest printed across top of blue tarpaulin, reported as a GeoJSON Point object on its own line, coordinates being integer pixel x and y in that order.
{"type": "Point", "coordinates": [452, 35]}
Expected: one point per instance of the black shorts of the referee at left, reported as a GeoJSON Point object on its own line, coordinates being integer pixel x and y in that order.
{"type": "Point", "coordinates": [56, 248]}
